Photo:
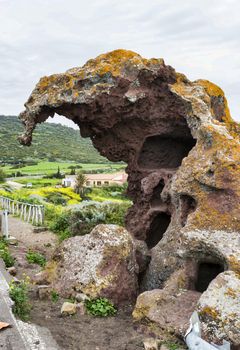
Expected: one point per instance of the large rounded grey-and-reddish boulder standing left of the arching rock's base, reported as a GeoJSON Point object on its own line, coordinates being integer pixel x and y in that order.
{"type": "Point", "coordinates": [99, 264]}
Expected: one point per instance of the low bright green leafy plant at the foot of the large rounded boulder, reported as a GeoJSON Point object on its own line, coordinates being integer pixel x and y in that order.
{"type": "Point", "coordinates": [100, 307]}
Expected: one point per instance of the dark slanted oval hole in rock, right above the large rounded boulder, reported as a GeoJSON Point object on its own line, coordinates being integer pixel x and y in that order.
{"type": "Point", "coordinates": [157, 229]}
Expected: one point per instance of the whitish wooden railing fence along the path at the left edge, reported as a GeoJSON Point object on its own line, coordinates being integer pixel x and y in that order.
{"type": "Point", "coordinates": [28, 212]}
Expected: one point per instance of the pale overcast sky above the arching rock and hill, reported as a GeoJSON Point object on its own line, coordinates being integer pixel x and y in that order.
{"type": "Point", "coordinates": [200, 38]}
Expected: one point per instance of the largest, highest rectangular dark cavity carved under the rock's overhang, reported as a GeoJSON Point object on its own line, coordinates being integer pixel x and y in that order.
{"type": "Point", "coordinates": [161, 151]}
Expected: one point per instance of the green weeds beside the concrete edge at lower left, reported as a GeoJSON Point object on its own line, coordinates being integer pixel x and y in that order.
{"type": "Point", "coordinates": [18, 292]}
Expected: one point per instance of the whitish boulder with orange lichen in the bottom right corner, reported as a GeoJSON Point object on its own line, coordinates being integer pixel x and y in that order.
{"type": "Point", "coordinates": [219, 309]}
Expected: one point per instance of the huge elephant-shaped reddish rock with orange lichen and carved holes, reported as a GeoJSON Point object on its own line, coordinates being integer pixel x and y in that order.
{"type": "Point", "coordinates": [183, 155]}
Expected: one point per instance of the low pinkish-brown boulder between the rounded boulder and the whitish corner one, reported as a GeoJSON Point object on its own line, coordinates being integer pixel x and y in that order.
{"type": "Point", "coordinates": [168, 309]}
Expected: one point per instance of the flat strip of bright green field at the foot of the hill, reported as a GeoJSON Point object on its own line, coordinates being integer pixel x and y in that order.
{"type": "Point", "coordinates": [46, 168]}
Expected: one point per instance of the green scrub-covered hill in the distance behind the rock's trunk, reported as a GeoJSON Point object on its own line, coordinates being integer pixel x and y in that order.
{"type": "Point", "coordinates": [51, 141]}
